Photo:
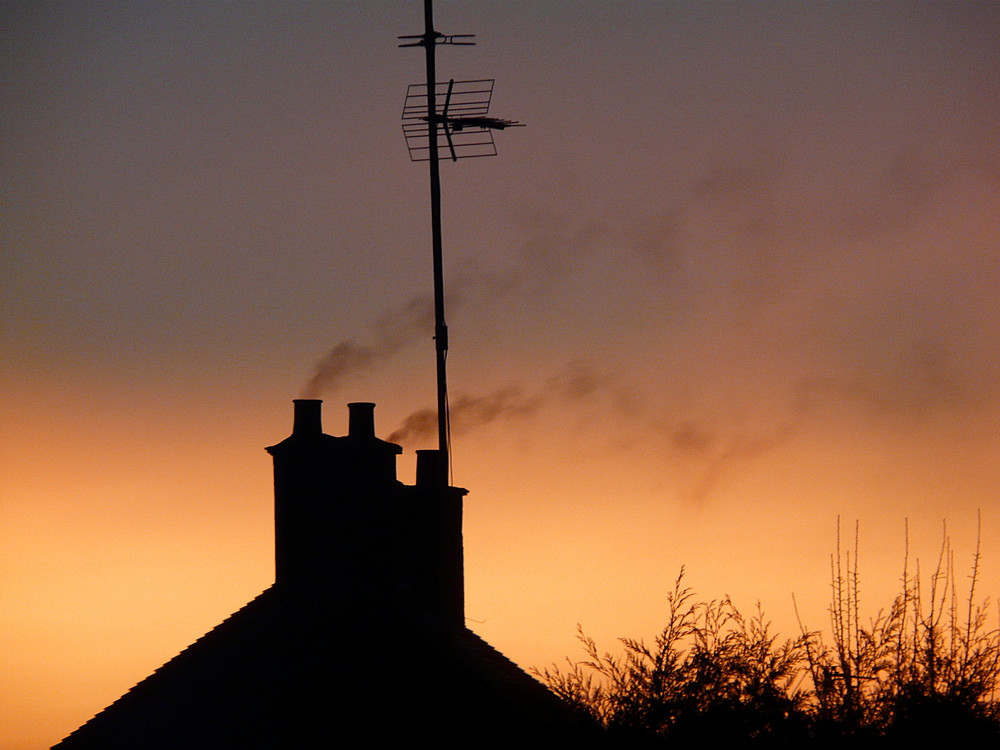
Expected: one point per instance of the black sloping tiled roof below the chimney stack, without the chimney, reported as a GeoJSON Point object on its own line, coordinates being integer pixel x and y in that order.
{"type": "Point", "coordinates": [285, 671]}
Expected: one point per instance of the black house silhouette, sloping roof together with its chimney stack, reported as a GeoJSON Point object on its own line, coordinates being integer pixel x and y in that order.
{"type": "Point", "coordinates": [360, 642]}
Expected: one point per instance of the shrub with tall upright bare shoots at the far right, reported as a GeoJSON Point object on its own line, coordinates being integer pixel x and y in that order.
{"type": "Point", "coordinates": [921, 668]}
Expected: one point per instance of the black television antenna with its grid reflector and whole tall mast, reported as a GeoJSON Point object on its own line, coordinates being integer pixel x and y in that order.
{"type": "Point", "coordinates": [464, 128]}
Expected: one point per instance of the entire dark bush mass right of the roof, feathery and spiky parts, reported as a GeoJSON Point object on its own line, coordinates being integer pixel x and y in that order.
{"type": "Point", "coordinates": [925, 671]}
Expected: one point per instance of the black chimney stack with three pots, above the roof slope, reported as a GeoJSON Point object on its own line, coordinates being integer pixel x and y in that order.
{"type": "Point", "coordinates": [347, 532]}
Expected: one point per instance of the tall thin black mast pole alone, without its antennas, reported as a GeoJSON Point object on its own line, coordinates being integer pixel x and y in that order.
{"type": "Point", "coordinates": [440, 327]}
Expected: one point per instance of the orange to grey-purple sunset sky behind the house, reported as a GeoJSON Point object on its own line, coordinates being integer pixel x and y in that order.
{"type": "Point", "coordinates": [735, 279]}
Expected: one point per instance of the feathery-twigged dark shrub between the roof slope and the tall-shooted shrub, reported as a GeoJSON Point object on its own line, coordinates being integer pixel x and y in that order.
{"type": "Point", "coordinates": [709, 673]}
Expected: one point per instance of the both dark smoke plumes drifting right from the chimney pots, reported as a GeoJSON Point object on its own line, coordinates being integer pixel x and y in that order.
{"type": "Point", "coordinates": [772, 240]}
